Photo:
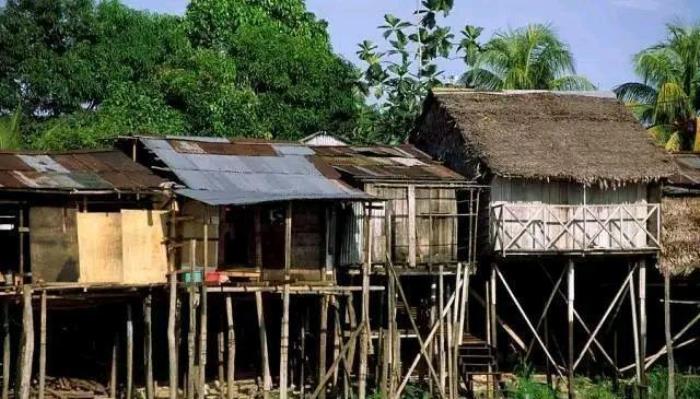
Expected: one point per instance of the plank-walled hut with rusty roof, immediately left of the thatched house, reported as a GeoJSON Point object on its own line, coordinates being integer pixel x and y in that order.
{"type": "Point", "coordinates": [432, 208]}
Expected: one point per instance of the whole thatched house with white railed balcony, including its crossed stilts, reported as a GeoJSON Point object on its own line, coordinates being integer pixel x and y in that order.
{"type": "Point", "coordinates": [574, 184]}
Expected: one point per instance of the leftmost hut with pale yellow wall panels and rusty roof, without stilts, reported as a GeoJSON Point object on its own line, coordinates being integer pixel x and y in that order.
{"type": "Point", "coordinates": [80, 218]}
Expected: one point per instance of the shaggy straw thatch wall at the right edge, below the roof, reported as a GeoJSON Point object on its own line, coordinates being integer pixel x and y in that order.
{"type": "Point", "coordinates": [680, 234]}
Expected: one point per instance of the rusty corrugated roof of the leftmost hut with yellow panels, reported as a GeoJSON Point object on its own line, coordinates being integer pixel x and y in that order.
{"type": "Point", "coordinates": [97, 170]}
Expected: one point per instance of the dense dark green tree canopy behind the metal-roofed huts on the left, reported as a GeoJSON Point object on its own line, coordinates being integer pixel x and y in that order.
{"type": "Point", "coordinates": [83, 72]}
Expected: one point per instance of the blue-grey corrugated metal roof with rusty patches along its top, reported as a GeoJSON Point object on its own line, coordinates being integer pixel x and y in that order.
{"type": "Point", "coordinates": [247, 172]}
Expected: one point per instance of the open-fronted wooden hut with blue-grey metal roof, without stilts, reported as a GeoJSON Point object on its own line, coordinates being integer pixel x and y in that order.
{"type": "Point", "coordinates": [264, 209]}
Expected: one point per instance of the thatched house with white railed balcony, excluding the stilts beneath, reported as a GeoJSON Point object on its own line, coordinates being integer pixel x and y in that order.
{"type": "Point", "coordinates": [554, 162]}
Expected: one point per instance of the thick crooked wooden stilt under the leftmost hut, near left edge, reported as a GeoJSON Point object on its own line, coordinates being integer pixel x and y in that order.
{"type": "Point", "coordinates": [26, 345]}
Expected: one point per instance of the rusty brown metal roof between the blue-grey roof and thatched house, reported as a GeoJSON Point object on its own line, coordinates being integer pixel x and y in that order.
{"type": "Point", "coordinates": [404, 162]}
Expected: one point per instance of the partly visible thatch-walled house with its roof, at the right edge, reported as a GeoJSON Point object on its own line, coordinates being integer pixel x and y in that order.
{"type": "Point", "coordinates": [681, 217]}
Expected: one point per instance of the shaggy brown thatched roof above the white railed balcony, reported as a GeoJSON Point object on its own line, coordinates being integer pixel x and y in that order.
{"type": "Point", "coordinates": [578, 137]}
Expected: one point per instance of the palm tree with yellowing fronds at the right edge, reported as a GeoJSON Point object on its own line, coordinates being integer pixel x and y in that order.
{"type": "Point", "coordinates": [668, 98]}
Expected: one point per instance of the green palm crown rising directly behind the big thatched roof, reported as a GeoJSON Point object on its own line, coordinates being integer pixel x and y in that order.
{"type": "Point", "coordinates": [531, 57]}
